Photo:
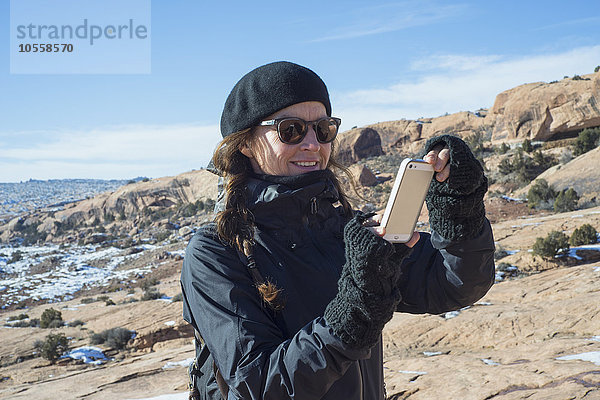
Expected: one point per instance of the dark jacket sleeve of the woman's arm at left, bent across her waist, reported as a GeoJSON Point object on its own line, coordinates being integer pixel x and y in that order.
{"type": "Point", "coordinates": [251, 352]}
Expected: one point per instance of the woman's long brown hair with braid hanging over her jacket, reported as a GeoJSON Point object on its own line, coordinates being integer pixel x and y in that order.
{"type": "Point", "coordinates": [235, 223]}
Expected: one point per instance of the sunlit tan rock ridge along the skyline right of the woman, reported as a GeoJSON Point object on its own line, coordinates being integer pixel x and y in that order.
{"type": "Point", "coordinates": [536, 111]}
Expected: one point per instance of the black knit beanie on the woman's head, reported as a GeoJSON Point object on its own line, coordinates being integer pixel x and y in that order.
{"type": "Point", "coordinates": [268, 89]}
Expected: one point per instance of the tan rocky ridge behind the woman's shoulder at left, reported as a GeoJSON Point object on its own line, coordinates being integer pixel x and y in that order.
{"type": "Point", "coordinates": [123, 212]}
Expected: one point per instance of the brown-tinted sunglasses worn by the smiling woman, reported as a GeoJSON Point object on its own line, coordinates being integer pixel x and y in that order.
{"type": "Point", "coordinates": [292, 130]}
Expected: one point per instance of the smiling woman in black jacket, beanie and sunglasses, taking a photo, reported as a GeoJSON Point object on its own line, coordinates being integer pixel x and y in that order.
{"type": "Point", "coordinates": [289, 288]}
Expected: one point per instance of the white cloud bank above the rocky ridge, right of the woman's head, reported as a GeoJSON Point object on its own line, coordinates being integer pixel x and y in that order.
{"type": "Point", "coordinates": [457, 88]}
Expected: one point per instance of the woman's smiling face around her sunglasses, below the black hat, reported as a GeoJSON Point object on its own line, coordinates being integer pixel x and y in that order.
{"type": "Point", "coordinates": [269, 155]}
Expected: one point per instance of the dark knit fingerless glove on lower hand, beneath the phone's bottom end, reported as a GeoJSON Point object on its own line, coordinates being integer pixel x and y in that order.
{"type": "Point", "coordinates": [367, 289]}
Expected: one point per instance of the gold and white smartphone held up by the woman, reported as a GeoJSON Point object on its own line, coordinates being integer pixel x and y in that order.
{"type": "Point", "coordinates": [406, 200]}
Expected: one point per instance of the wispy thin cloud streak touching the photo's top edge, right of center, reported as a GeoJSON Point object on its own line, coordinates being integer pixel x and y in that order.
{"type": "Point", "coordinates": [389, 18]}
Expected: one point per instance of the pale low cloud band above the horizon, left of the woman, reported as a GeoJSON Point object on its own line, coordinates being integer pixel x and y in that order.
{"type": "Point", "coordinates": [118, 152]}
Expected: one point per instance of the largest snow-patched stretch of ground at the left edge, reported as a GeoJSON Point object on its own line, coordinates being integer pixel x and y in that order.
{"type": "Point", "coordinates": [72, 273]}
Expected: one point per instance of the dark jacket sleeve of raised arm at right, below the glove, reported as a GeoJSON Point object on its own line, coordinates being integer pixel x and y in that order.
{"type": "Point", "coordinates": [443, 275]}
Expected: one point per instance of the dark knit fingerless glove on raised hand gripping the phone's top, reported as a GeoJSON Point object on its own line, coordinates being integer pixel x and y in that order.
{"type": "Point", "coordinates": [456, 209]}
